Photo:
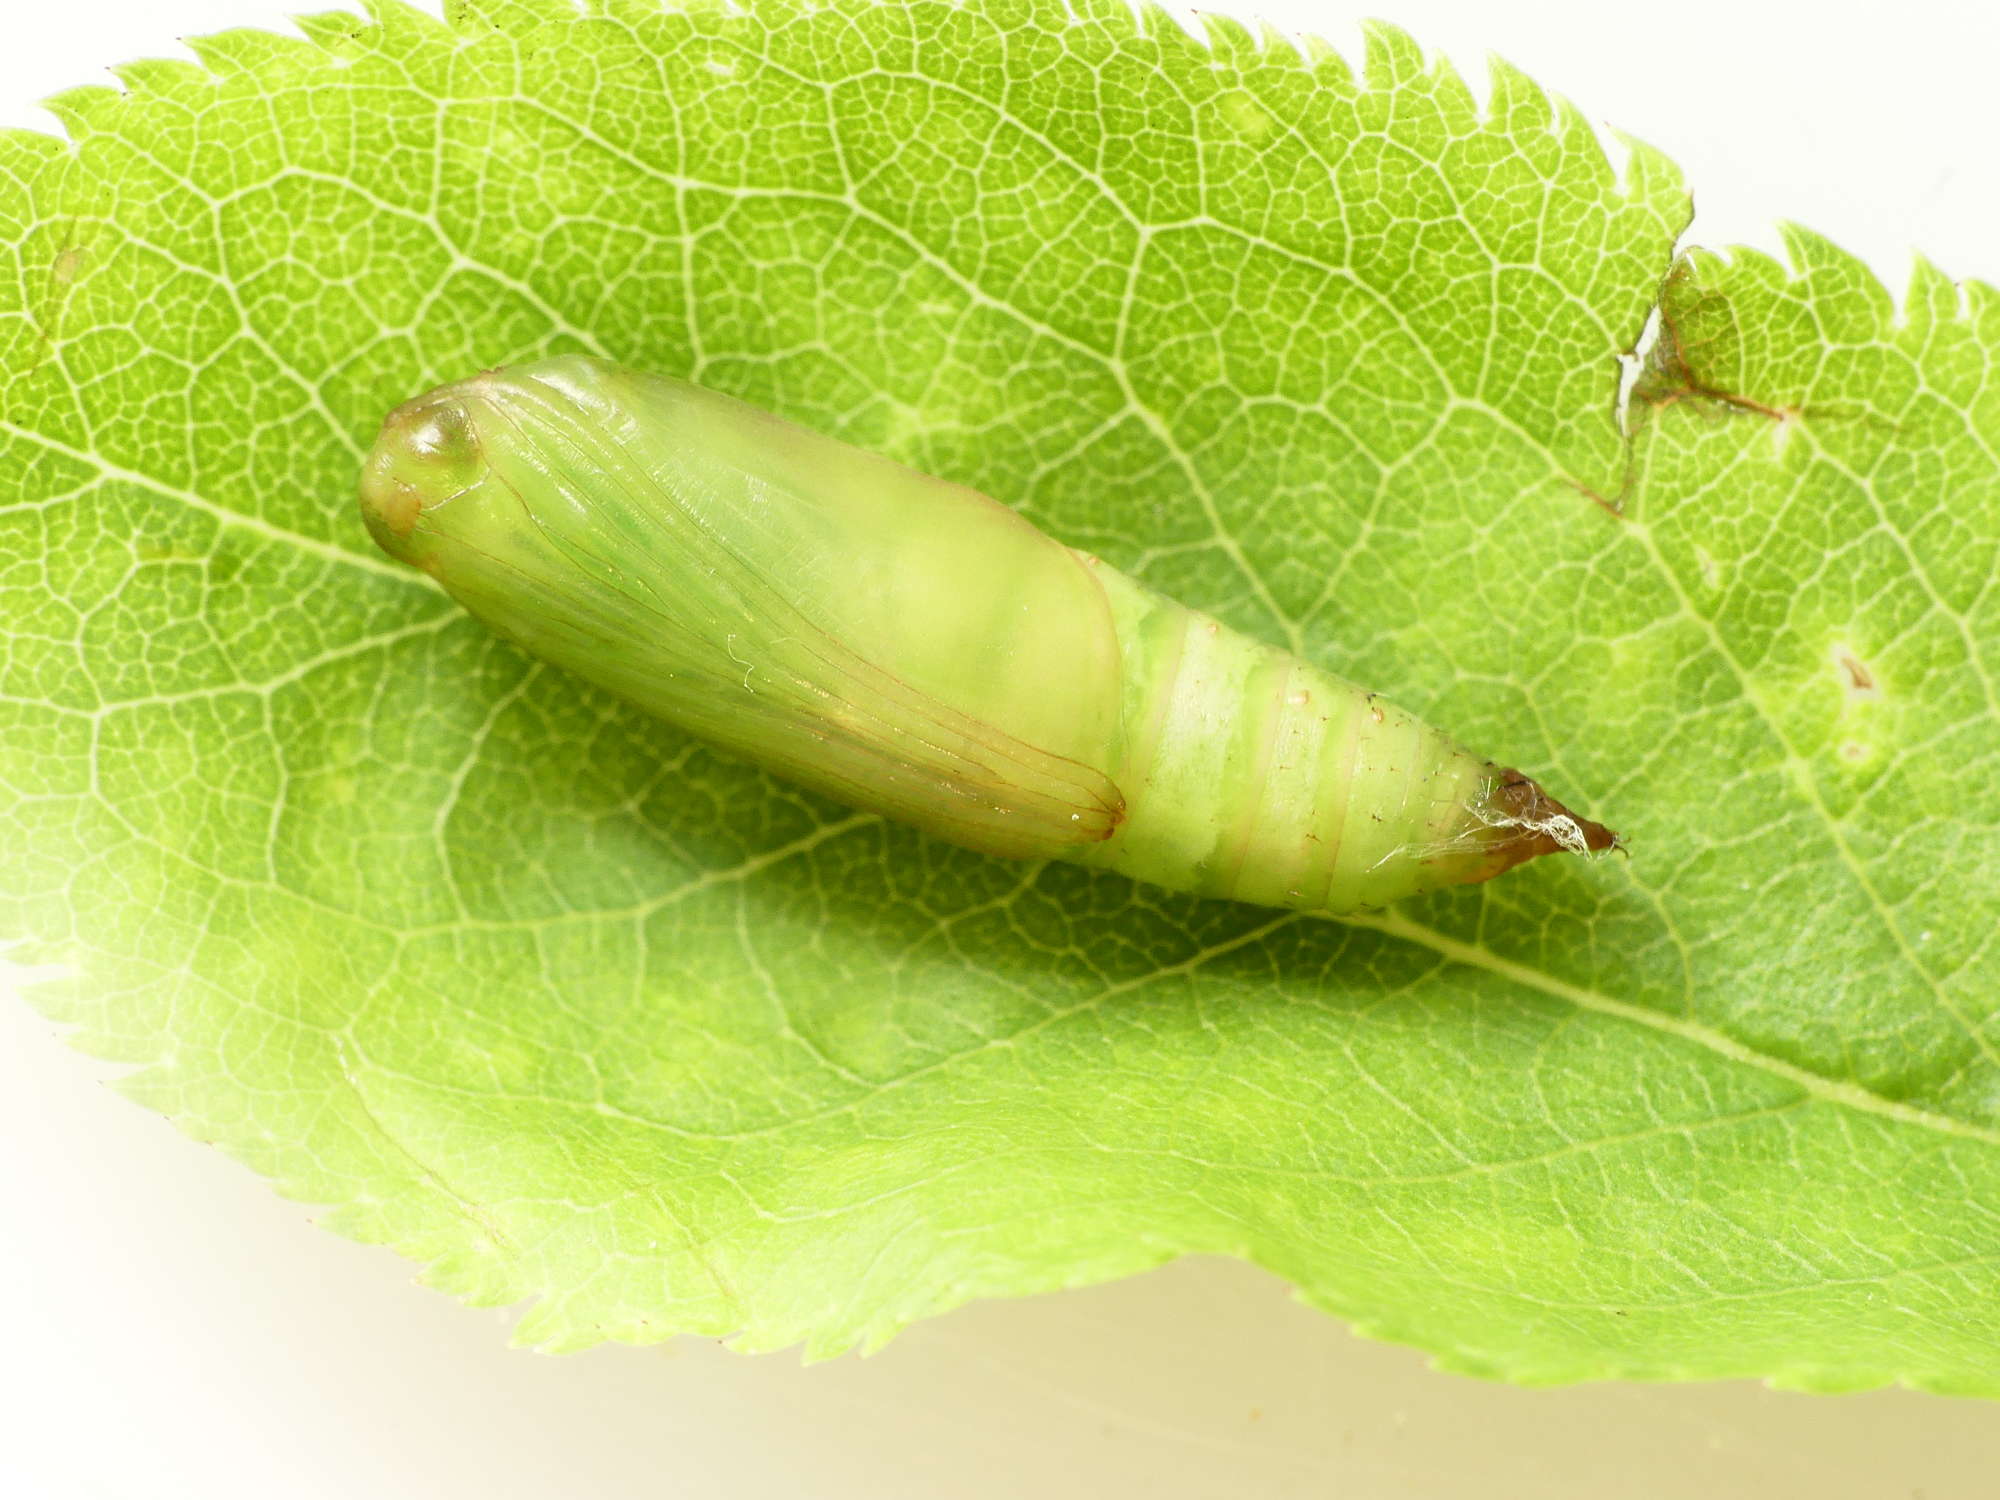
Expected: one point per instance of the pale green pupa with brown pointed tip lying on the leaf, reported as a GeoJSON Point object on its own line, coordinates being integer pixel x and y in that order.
{"type": "Point", "coordinates": [915, 649]}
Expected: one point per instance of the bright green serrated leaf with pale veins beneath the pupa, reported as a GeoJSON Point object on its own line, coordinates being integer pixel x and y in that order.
{"type": "Point", "coordinates": [579, 1013]}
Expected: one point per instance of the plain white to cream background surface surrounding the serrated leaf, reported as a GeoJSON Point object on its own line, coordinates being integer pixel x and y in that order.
{"type": "Point", "coordinates": [173, 1329]}
